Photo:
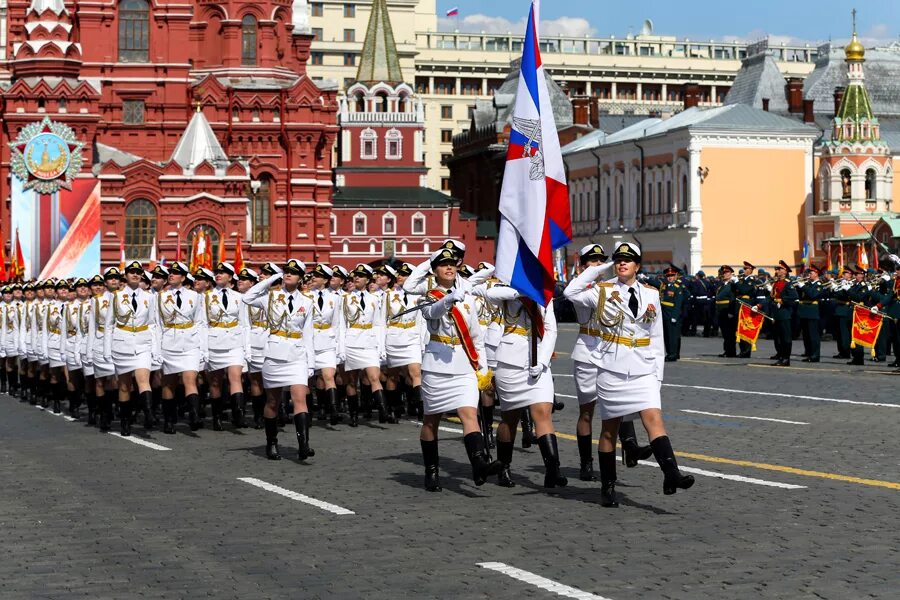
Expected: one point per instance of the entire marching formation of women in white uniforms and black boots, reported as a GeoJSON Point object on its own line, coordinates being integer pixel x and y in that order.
{"type": "Point", "coordinates": [448, 338]}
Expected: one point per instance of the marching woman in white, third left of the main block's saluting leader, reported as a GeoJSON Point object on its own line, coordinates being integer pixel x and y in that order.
{"type": "Point", "coordinates": [131, 341]}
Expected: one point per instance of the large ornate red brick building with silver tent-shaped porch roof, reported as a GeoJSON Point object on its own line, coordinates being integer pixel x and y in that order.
{"type": "Point", "coordinates": [197, 114]}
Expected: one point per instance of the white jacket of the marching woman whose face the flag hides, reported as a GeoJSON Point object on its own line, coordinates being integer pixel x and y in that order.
{"type": "Point", "coordinates": [514, 349]}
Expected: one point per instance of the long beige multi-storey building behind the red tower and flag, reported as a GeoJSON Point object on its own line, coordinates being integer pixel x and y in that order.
{"type": "Point", "coordinates": [633, 75]}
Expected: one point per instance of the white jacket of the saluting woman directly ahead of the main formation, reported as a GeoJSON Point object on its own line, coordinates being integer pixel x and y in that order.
{"type": "Point", "coordinates": [290, 331]}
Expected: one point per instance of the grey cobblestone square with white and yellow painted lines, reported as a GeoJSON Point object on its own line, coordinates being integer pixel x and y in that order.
{"type": "Point", "coordinates": [809, 509]}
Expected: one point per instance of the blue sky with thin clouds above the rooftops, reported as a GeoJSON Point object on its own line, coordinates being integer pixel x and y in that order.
{"type": "Point", "coordinates": [785, 20]}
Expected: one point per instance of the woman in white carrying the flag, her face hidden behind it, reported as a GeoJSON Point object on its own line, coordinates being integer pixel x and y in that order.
{"type": "Point", "coordinates": [524, 380]}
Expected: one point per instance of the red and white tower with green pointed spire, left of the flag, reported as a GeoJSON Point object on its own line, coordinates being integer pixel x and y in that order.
{"type": "Point", "coordinates": [382, 209]}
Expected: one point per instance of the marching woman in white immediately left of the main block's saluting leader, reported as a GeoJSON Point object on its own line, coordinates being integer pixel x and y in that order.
{"type": "Point", "coordinates": [228, 335]}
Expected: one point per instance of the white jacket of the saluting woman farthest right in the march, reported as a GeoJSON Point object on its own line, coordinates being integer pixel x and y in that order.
{"type": "Point", "coordinates": [628, 345]}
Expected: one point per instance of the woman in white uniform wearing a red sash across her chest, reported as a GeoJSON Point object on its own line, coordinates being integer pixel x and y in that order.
{"type": "Point", "coordinates": [453, 366]}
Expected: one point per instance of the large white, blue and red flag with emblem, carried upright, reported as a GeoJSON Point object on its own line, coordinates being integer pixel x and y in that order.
{"type": "Point", "coordinates": [534, 201]}
